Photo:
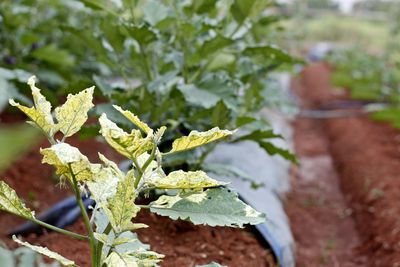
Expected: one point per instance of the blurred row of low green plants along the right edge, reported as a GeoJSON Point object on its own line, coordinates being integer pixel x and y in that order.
{"type": "Point", "coordinates": [371, 78]}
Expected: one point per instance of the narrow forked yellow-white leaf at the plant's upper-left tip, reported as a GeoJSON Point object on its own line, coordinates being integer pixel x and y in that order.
{"type": "Point", "coordinates": [40, 113]}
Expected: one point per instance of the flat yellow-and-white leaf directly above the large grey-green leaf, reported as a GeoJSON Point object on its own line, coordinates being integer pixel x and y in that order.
{"type": "Point", "coordinates": [185, 180]}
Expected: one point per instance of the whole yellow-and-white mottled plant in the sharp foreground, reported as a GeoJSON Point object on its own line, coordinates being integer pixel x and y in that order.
{"type": "Point", "coordinates": [192, 195]}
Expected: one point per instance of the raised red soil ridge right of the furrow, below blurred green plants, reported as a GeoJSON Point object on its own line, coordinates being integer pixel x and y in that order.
{"type": "Point", "coordinates": [366, 155]}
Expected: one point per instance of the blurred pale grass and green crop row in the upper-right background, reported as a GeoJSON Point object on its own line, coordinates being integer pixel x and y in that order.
{"type": "Point", "coordinates": [364, 45]}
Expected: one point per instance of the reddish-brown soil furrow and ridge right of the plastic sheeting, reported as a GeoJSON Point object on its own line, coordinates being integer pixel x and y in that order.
{"type": "Point", "coordinates": [366, 156]}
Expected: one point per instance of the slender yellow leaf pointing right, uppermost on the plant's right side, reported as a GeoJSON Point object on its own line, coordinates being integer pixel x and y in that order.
{"type": "Point", "coordinates": [196, 139]}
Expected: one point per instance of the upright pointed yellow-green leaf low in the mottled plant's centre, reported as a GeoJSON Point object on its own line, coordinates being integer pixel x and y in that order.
{"type": "Point", "coordinates": [120, 209]}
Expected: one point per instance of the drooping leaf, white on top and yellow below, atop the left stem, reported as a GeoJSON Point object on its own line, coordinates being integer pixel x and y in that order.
{"type": "Point", "coordinates": [65, 158]}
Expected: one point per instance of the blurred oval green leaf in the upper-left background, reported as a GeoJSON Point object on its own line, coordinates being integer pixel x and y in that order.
{"type": "Point", "coordinates": [54, 55]}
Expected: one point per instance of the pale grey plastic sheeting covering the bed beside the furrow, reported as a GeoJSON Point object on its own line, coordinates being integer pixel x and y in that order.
{"type": "Point", "coordinates": [274, 172]}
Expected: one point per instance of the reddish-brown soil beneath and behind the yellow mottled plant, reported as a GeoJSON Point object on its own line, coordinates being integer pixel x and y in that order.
{"type": "Point", "coordinates": [182, 243]}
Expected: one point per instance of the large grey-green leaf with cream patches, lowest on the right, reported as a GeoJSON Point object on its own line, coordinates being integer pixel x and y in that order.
{"type": "Point", "coordinates": [214, 207]}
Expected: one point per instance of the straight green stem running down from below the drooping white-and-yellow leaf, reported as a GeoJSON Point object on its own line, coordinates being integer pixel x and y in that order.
{"type": "Point", "coordinates": [92, 241]}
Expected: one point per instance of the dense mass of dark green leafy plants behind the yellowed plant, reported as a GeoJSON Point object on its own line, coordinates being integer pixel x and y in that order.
{"type": "Point", "coordinates": [190, 65]}
